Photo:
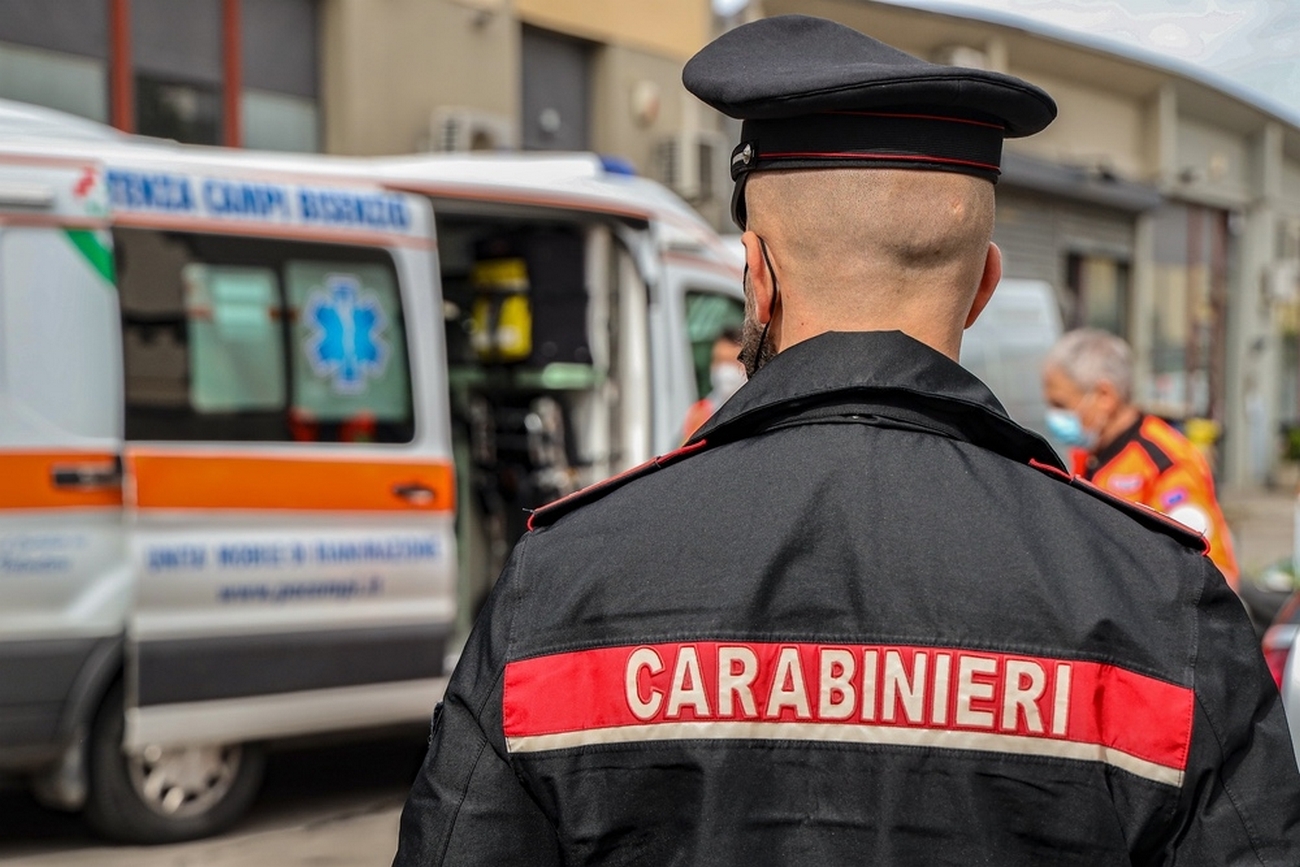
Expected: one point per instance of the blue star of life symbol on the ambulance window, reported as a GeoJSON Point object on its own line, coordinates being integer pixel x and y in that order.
{"type": "Point", "coordinates": [346, 344]}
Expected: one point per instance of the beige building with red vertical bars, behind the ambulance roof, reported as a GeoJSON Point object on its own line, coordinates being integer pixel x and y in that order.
{"type": "Point", "coordinates": [363, 77]}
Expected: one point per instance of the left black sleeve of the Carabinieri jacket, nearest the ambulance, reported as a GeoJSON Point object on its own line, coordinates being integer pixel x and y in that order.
{"type": "Point", "coordinates": [467, 807]}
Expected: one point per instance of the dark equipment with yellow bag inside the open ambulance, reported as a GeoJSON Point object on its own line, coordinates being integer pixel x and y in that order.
{"type": "Point", "coordinates": [522, 370]}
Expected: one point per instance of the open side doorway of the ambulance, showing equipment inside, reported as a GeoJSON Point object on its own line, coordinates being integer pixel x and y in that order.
{"type": "Point", "coordinates": [547, 314]}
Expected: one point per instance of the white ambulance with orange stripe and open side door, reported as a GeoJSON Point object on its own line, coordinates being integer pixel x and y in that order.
{"type": "Point", "coordinates": [271, 424]}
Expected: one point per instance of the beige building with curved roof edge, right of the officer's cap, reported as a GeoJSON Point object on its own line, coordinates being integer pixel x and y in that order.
{"type": "Point", "coordinates": [1162, 206]}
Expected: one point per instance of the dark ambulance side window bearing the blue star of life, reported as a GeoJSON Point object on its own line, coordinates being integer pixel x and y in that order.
{"type": "Point", "coordinates": [242, 340]}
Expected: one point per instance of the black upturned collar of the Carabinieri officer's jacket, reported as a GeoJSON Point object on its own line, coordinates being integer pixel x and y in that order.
{"type": "Point", "coordinates": [872, 366]}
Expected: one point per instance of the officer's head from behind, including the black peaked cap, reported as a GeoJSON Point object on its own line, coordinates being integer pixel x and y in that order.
{"type": "Point", "coordinates": [870, 174]}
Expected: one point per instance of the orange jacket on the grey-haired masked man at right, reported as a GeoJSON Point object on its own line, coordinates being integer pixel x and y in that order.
{"type": "Point", "coordinates": [1154, 465]}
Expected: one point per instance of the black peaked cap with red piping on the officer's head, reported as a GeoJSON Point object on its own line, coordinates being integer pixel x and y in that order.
{"type": "Point", "coordinates": [814, 94]}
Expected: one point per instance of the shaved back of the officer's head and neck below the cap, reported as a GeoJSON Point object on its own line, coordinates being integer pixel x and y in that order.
{"type": "Point", "coordinates": [876, 249]}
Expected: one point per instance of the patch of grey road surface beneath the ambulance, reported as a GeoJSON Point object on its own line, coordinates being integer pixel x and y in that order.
{"type": "Point", "coordinates": [332, 807]}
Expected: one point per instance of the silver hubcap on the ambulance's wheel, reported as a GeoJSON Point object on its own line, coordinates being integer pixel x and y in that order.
{"type": "Point", "coordinates": [183, 782]}
